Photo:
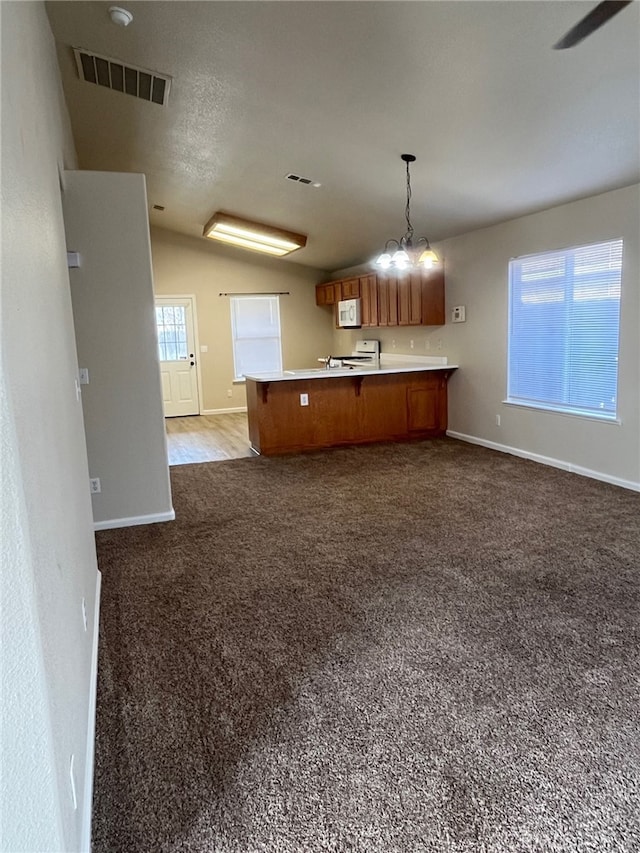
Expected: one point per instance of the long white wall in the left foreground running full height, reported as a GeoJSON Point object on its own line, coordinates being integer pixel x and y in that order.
{"type": "Point", "coordinates": [48, 552]}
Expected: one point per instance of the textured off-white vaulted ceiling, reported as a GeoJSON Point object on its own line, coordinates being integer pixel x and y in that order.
{"type": "Point", "coordinates": [500, 123]}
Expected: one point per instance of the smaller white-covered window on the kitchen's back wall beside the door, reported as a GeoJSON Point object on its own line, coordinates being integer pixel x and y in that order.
{"type": "Point", "coordinates": [255, 329]}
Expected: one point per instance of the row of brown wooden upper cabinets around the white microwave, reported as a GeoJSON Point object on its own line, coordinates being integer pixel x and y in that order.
{"type": "Point", "coordinates": [389, 299]}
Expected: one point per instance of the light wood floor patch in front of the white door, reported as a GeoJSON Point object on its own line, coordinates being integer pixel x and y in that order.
{"type": "Point", "coordinates": [207, 438]}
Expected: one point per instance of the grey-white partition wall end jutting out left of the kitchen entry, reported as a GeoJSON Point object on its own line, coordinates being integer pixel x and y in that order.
{"type": "Point", "coordinates": [113, 306]}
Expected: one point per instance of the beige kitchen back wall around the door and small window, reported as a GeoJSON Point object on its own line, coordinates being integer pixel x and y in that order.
{"type": "Point", "coordinates": [186, 265]}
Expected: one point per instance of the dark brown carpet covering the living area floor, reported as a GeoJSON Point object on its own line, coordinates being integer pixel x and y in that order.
{"type": "Point", "coordinates": [386, 649]}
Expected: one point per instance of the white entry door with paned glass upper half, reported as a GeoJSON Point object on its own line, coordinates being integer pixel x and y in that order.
{"type": "Point", "coordinates": [178, 365]}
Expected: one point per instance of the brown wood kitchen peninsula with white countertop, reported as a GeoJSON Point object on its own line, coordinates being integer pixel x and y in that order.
{"type": "Point", "coordinates": [296, 410]}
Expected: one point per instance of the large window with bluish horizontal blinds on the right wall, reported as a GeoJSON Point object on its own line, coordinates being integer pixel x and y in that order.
{"type": "Point", "coordinates": [564, 318]}
